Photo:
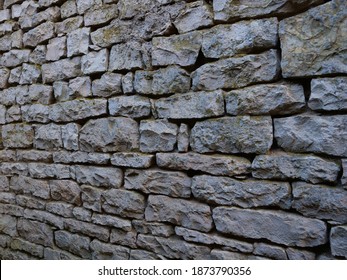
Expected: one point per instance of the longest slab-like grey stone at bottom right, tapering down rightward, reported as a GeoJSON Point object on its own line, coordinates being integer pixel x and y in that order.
{"type": "Point", "coordinates": [277, 226]}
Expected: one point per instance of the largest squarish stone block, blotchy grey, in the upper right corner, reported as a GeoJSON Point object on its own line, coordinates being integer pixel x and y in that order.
{"type": "Point", "coordinates": [319, 46]}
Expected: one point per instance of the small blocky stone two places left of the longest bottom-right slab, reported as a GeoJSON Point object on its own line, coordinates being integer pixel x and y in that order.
{"type": "Point", "coordinates": [124, 203]}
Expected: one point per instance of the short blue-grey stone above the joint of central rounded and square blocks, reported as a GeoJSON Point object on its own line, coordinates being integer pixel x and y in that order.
{"type": "Point", "coordinates": [133, 106]}
